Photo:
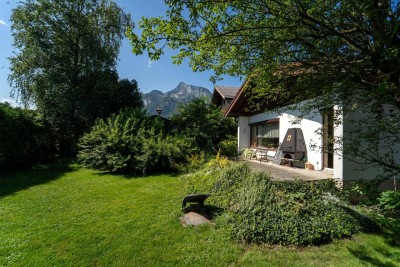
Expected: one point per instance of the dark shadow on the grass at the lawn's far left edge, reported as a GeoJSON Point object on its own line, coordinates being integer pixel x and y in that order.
{"type": "Point", "coordinates": [14, 181]}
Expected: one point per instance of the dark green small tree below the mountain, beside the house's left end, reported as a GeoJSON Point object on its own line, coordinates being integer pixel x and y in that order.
{"type": "Point", "coordinates": [204, 122]}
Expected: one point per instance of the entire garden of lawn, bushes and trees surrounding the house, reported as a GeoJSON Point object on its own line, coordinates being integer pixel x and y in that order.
{"type": "Point", "coordinates": [88, 178]}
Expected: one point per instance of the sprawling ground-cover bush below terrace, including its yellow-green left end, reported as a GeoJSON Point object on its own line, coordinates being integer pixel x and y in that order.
{"type": "Point", "coordinates": [261, 210]}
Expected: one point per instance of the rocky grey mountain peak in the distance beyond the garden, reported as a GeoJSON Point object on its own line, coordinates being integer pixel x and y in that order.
{"type": "Point", "coordinates": [168, 101]}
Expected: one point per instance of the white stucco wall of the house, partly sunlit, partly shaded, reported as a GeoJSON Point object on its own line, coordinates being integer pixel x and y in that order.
{"type": "Point", "coordinates": [345, 167]}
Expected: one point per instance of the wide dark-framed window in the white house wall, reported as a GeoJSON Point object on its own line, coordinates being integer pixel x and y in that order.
{"type": "Point", "coordinates": [265, 134]}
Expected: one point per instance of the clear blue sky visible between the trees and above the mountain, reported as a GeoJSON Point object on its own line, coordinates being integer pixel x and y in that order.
{"type": "Point", "coordinates": [158, 75]}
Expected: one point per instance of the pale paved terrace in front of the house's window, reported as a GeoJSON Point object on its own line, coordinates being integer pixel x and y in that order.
{"type": "Point", "coordinates": [286, 172]}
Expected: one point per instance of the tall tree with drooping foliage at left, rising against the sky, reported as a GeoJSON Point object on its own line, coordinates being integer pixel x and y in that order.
{"type": "Point", "coordinates": [65, 59]}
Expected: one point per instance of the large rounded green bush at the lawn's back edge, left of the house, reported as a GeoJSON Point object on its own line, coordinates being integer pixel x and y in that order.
{"type": "Point", "coordinates": [131, 142]}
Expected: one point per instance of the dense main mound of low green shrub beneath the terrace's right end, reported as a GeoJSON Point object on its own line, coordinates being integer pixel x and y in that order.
{"type": "Point", "coordinates": [277, 213]}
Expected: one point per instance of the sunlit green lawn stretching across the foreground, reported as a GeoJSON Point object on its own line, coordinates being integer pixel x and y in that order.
{"type": "Point", "coordinates": [71, 216]}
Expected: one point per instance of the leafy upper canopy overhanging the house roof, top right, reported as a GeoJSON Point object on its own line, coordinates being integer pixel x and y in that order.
{"type": "Point", "coordinates": [318, 38]}
